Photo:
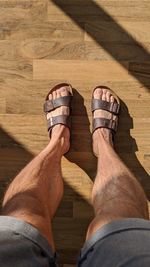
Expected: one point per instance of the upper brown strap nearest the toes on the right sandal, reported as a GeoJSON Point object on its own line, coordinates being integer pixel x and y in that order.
{"type": "Point", "coordinates": [112, 107]}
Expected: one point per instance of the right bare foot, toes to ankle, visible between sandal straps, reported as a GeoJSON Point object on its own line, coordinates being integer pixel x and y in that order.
{"type": "Point", "coordinates": [102, 133]}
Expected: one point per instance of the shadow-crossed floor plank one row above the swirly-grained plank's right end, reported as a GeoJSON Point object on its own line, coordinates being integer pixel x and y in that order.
{"type": "Point", "coordinates": [139, 31]}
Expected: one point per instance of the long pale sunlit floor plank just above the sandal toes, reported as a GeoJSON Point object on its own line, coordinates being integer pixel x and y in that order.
{"type": "Point", "coordinates": [77, 69]}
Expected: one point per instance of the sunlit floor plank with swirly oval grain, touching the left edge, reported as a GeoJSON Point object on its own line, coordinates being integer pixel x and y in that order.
{"type": "Point", "coordinates": [36, 48]}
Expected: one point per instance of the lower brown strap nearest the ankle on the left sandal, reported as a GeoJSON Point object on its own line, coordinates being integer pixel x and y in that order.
{"type": "Point", "coordinates": [61, 119]}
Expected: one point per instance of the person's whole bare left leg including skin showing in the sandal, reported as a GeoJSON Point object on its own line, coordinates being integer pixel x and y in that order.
{"type": "Point", "coordinates": [35, 193]}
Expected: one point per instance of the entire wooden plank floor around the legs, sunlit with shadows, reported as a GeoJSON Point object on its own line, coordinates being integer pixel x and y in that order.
{"type": "Point", "coordinates": [86, 43]}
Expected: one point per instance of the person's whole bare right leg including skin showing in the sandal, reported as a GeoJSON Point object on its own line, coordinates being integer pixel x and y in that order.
{"type": "Point", "coordinates": [116, 193]}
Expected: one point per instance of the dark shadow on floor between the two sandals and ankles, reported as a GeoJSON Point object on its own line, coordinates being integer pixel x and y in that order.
{"type": "Point", "coordinates": [81, 142]}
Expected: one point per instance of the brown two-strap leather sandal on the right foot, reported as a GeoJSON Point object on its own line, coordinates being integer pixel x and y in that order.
{"type": "Point", "coordinates": [113, 108]}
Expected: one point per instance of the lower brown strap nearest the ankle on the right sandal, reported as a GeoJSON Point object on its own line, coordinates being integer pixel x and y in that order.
{"type": "Point", "coordinates": [105, 123]}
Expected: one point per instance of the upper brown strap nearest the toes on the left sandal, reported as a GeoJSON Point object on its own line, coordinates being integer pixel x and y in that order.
{"type": "Point", "coordinates": [50, 105]}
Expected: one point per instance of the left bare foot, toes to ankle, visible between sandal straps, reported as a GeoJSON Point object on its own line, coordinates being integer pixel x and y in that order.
{"type": "Point", "coordinates": [60, 133]}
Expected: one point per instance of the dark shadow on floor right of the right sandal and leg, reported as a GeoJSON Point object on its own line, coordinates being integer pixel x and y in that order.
{"type": "Point", "coordinates": [126, 147]}
